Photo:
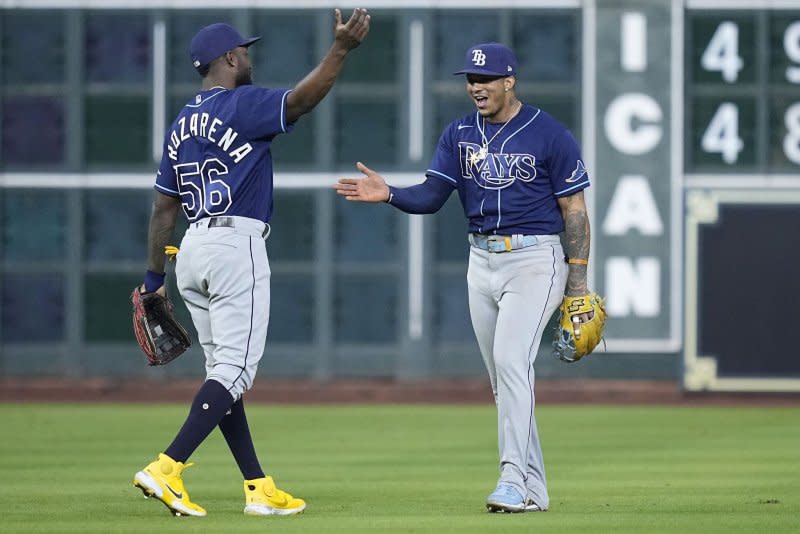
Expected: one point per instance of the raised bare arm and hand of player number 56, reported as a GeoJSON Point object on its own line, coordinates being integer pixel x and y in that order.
{"type": "Point", "coordinates": [313, 88]}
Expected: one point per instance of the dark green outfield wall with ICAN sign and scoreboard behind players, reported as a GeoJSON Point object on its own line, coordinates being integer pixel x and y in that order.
{"type": "Point", "coordinates": [688, 114]}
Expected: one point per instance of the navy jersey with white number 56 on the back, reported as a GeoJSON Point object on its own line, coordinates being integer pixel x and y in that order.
{"type": "Point", "coordinates": [217, 156]}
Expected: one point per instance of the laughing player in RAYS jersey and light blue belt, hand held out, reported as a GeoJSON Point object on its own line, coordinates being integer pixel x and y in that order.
{"type": "Point", "coordinates": [520, 178]}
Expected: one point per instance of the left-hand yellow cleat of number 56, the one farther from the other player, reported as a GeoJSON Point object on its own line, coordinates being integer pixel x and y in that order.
{"type": "Point", "coordinates": [162, 480]}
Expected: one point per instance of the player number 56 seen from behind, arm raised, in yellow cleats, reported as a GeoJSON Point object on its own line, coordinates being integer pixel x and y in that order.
{"type": "Point", "coordinates": [217, 169]}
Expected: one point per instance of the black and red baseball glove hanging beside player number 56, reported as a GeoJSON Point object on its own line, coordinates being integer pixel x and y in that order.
{"type": "Point", "coordinates": [160, 336]}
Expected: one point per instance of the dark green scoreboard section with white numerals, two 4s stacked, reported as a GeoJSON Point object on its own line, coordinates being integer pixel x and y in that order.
{"type": "Point", "coordinates": [742, 90]}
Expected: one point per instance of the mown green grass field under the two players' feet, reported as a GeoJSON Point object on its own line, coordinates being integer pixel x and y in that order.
{"type": "Point", "coordinates": [68, 468]}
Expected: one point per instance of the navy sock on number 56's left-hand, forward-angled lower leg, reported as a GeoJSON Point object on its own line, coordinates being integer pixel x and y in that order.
{"type": "Point", "coordinates": [208, 408]}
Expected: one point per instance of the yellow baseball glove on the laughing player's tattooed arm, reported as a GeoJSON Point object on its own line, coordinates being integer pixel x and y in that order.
{"type": "Point", "coordinates": [575, 339]}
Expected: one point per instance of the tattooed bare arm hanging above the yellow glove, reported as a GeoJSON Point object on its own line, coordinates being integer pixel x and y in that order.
{"type": "Point", "coordinates": [576, 241]}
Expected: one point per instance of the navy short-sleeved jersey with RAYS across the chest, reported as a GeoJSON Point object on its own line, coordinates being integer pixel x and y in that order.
{"type": "Point", "coordinates": [512, 186]}
